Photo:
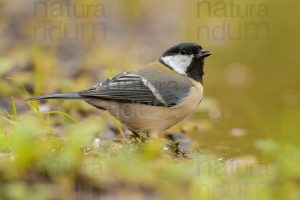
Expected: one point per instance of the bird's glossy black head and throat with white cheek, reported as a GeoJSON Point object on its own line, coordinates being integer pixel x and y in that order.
{"type": "Point", "coordinates": [186, 59]}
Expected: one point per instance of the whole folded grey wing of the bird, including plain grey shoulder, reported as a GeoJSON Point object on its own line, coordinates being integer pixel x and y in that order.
{"type": "Point", "coordinates": [145, 88]}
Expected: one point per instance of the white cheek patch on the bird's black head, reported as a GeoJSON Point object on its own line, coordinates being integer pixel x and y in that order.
{"type": "Point", "coordinates": [178, 63]}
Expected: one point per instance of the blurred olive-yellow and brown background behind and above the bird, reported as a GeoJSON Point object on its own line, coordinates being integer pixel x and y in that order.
{"type": "Point", "coordinates": [251, 83]}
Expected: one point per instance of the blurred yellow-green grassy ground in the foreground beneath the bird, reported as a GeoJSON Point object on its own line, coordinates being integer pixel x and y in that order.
{"type": "Point", "coordinates": [37, 163]}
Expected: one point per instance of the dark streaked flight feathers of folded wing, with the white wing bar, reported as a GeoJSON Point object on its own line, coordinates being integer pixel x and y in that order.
{"type": "Point", "coordinates": [133, 88]}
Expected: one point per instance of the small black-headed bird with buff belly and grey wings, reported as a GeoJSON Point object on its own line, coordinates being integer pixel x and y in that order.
{"type": "Point", "coordinates": [154, 97]}
